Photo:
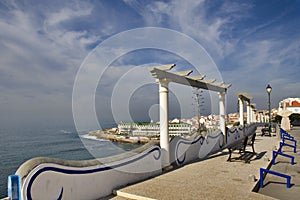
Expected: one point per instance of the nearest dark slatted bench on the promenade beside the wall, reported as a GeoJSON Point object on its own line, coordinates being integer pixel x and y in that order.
{"type": "Point", "coordinates": [241, 147]}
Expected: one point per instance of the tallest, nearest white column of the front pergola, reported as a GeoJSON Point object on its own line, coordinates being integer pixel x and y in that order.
{"type": "Point", "coordinates": [164, 121]}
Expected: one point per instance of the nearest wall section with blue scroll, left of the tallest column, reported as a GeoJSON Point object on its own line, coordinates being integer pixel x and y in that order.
{"type": "Point", "coordinates": [47, 178]}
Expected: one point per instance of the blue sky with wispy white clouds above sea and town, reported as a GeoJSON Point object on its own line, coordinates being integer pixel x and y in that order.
{"type": "Point", "coordinates": [50, 48]}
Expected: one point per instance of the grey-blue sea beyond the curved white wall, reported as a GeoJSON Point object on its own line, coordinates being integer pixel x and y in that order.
{"type": "Point", "coordinates": [18, 145]}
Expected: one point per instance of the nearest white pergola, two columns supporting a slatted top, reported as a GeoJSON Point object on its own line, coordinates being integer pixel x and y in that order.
{"type": "Point", "coordinates": [163, 77]}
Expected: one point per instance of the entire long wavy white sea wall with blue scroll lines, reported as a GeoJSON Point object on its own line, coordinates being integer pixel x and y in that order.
{"type": "Point", "coordinates": [48, 178]}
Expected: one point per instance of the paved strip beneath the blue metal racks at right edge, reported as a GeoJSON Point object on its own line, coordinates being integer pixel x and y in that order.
{"type": "Point", "coordinates": [275, 186]}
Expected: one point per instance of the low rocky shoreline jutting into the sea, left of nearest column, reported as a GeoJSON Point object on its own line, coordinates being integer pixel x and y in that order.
{"type": "Point", "coordinates": [112, 135]}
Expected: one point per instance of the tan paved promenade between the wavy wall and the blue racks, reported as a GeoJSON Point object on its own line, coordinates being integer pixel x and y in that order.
{"type": "Point", "coordinates": [213, 178]}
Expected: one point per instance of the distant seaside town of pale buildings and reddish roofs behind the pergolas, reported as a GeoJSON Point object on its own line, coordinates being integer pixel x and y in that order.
{"type": "Point", "coordinates": [143, 132]}
